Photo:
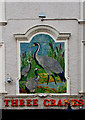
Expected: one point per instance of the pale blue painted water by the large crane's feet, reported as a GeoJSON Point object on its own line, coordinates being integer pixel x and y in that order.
{"type": "Point", "coordinates": [52, 85]}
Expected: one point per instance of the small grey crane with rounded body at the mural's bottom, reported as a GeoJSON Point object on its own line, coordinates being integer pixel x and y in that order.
{"type": "Point", "coordinates": [32, 84]}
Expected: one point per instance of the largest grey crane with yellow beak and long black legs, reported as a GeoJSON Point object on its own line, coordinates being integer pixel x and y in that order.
{"type": "Point", "coordinates": [49, 64]}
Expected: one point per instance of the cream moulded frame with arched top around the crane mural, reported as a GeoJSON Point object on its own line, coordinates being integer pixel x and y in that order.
{"type": "Point", "coordinates": [58, 36]}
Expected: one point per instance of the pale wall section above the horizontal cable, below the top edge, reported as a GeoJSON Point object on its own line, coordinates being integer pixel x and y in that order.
{"type": "Point", "coordinates": [31, 10]}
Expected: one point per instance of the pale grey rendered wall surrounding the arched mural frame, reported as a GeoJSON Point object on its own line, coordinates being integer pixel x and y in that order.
{"type": "Point", "coordinates": [23, 16]}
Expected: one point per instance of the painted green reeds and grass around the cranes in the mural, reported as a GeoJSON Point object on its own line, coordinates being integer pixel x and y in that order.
{"type": "Point", "coordinates": [57, 54]}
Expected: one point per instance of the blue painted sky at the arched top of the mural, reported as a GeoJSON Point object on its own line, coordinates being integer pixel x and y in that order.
{"type": "Point", "coordinates": [44, 40]}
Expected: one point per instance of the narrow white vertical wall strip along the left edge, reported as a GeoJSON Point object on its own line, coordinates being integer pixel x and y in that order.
{"type": "Point", "coordinates": [2, 49]}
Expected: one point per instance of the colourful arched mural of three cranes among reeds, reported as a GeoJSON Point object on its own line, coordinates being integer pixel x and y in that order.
{"type": "Point", "coordinates": [42, 66]}
